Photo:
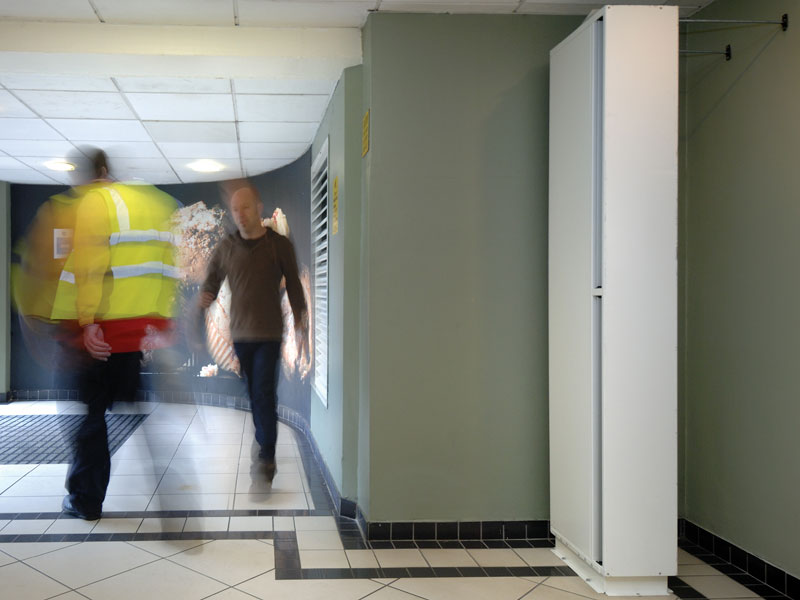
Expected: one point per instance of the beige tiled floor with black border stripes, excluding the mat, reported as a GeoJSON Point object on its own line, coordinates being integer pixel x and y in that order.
{"type": "Point", "coordinates": [186, 518]}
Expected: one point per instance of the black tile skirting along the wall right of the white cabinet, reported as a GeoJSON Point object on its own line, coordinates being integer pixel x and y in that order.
{"type": "Point", "coordinates": [751, 571]}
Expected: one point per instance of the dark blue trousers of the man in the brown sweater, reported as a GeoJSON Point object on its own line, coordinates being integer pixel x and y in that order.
{"type": "Point", "coordinates": [259, 361]}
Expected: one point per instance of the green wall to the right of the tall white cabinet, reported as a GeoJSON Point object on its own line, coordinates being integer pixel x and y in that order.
{"type": "Point", "coordinates": [741, 217]}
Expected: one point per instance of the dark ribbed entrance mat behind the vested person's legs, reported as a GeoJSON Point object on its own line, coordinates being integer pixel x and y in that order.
{"type": "Point", "coordinates": [47, 439]}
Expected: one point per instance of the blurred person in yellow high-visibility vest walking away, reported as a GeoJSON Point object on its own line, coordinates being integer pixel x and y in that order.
{"type": "Point", "coordinates": [119, 284]}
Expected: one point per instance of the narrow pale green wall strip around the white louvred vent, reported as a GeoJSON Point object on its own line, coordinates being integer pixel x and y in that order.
{"type": "Point", "coordinates": [335, 427]}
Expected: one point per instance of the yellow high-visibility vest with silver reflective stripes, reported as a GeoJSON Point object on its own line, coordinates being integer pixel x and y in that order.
{"type": "Point", "coordinates": [141, 278]}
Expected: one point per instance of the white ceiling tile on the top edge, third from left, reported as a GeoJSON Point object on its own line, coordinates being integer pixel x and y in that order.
{"type": "Point", "coordinates": [257, 13]}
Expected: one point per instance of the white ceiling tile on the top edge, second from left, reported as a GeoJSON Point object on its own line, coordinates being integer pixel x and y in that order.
{"type": "Point", "coordinates": [173, 12]}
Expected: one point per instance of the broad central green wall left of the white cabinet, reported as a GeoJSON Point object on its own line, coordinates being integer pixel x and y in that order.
{"type": "Point", "coordinates": [455, 229]}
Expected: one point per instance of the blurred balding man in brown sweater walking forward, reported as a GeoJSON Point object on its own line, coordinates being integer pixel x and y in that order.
{"type": "Point", "coordinates": [255, 259]}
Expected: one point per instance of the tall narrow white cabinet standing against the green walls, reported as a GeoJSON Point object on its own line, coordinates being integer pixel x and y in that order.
{"type": "Point", "coordinates": [613, 298]}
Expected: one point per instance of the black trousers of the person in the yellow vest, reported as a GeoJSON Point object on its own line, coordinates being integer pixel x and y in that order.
{"type": "Point", "coordinates": [100, 384]}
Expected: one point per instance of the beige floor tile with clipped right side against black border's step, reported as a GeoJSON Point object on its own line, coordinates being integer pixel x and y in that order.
{"type": "Point", "coordinates": [229, 561]}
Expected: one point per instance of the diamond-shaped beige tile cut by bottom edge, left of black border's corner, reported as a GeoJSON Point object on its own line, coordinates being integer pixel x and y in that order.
{"type": "Point", "coordinates": [160, 580]}
